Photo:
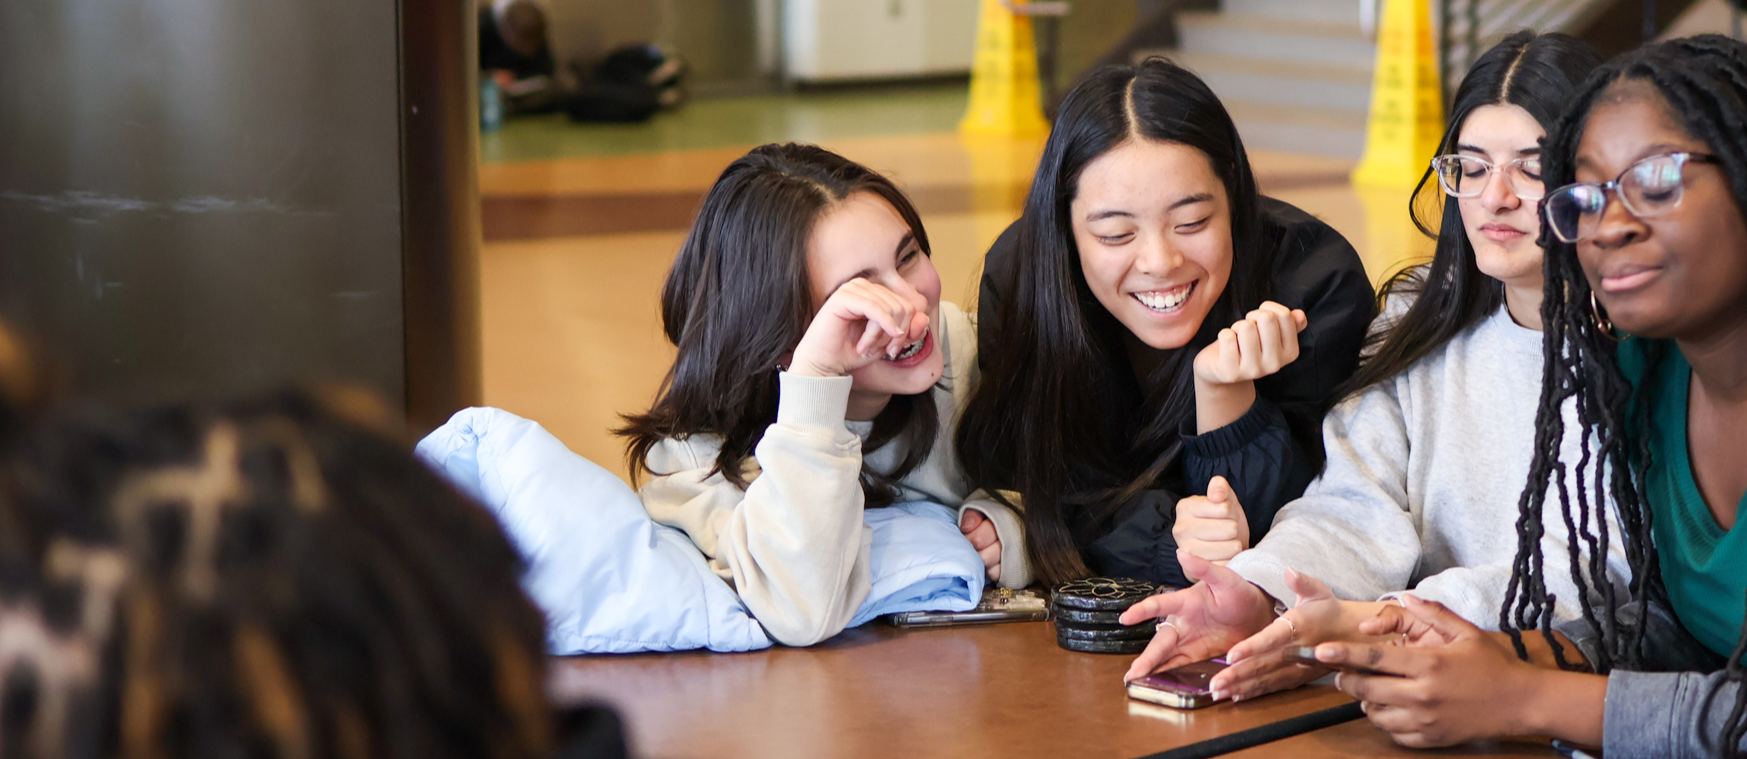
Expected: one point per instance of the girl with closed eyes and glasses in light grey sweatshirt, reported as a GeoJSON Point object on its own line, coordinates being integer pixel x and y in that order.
{"type": "Point", "coordinates": [1428, 452]}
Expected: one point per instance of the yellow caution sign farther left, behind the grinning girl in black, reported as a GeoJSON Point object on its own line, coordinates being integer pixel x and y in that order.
{"type": "Point", "coordinates": [1007, 99]}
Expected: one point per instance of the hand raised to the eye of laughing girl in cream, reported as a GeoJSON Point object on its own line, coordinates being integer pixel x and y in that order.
{"type": "Point", "coordinates": [857, 326]}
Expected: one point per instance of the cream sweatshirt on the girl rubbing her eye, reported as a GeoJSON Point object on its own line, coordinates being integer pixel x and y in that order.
{"type": "Point", "coordinates": [794, 543]}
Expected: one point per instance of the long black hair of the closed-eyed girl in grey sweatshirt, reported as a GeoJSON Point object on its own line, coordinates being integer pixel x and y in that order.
{"type": "Point", "coordinates": [1535, 73]}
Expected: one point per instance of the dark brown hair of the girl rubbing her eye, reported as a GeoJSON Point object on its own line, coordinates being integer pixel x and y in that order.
{"type": "Point", "coordinates": [740, 298]}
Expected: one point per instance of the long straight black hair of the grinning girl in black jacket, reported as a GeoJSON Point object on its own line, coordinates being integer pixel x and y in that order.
{"type": "Point", "coordinates": [1042, 422]}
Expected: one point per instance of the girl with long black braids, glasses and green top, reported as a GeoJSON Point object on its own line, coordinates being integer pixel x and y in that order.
{"type": "Point", "coordinates": [1647, 331]}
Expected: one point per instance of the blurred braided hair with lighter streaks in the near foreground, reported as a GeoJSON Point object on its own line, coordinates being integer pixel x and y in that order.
{"type": "Point", "coordinates": [263, 580]}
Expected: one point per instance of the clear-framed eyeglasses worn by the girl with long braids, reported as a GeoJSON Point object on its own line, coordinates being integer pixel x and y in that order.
{"type": "Point", "coordinates": [1650, 188]}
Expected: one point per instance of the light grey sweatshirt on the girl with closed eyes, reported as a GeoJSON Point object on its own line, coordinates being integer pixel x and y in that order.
{"type": "Point", "coordinates": [1423, 480]}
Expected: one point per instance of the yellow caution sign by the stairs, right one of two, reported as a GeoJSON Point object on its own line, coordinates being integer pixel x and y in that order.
{"type": "Point", "coordinates": [1407, 101]}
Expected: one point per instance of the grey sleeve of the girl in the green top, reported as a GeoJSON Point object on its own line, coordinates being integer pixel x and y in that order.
{"type": "Point", "coordinates": [1668, 714]}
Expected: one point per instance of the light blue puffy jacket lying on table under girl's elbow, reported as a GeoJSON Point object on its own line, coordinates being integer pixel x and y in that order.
{"type": "Point", "coordinates": [612, 581]}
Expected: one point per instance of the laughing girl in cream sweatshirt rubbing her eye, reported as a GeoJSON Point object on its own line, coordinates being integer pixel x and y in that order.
{"type": "Point", "coordinates": [818, 373]}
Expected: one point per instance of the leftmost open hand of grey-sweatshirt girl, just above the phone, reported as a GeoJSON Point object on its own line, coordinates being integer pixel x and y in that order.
{"type": "Point", "coordinates": [1206, 618]}
